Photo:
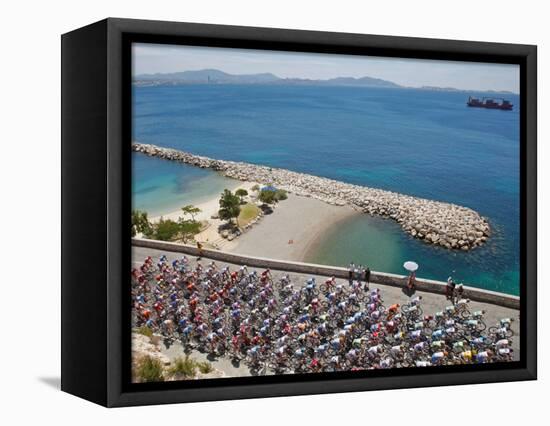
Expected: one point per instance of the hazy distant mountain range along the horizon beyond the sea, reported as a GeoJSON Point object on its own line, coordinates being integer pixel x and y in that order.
{"type": "Point", "coordinates": [213, 76]}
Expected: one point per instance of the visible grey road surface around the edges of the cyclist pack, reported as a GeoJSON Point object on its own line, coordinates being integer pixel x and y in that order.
{"type": "Point", "coordinates": [431, 303]}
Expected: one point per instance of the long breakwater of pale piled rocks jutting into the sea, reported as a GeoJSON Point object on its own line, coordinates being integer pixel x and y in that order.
{"type": "Point", "coordinates": [434, 222]}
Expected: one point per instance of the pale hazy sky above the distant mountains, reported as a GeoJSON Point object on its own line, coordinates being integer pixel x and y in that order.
{"type": "Point", "coordinates": [156, 58]}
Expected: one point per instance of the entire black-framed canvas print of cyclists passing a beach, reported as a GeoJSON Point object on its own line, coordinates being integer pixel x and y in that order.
{"type": "Point", "coordinates": [253, 212]}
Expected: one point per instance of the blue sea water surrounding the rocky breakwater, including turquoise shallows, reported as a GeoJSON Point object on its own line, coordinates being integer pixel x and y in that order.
{"type": "Point", "coordinates": [419, 142]}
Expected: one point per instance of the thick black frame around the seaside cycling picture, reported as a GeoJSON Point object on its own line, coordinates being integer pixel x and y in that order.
{"type": "Point", "coordinates": [96, 151]}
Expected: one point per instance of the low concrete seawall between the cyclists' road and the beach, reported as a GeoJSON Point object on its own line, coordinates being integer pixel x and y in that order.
{"type": "Point", "coordinates": [432, 286]}
